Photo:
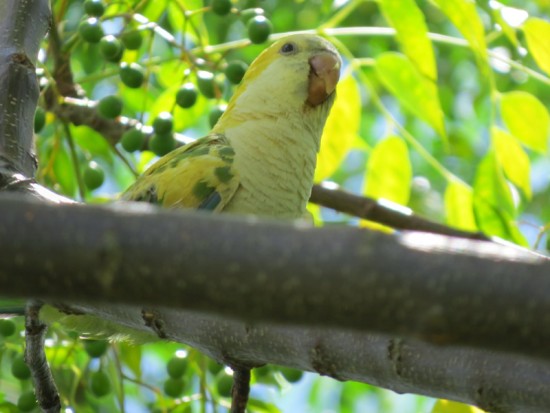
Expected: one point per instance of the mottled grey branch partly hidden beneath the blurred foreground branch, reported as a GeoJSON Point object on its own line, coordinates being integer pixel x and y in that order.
{"type": "Point", "coordinates": [497, 382]}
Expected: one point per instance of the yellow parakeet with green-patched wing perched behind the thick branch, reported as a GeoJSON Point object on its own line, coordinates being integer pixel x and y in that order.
{"type": "Point", "coordinates": [260, 156]}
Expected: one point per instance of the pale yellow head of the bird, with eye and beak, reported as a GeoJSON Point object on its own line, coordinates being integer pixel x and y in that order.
{"type": "Point", "coordinates": [295, 74]}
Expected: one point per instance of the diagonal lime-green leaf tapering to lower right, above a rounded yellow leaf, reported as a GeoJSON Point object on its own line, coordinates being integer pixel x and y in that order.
{"type": "Point", "coordinates": [417, 93]}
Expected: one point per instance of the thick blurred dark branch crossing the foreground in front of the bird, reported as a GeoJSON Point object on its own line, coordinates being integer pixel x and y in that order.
{"type": "Point", "coordinates": [442, 290]}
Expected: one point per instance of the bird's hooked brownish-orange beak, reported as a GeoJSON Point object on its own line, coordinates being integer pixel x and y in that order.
{"type": "Point", "coordinates": [323, 77]}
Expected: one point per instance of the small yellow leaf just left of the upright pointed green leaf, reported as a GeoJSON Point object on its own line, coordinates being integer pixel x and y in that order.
{"type": "Point", "coordinates": [459, 206]}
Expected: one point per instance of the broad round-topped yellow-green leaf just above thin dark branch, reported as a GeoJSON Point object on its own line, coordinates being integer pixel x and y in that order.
{"type": "Point", "coordinates": [389, 171]}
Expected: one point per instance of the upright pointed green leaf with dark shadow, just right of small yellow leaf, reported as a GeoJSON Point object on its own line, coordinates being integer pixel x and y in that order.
{"type": "Point", "coordinates": [493, 203]}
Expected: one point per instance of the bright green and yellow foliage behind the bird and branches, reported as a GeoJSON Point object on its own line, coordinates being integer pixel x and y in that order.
{"type": "Point", "coordinates": [457, 133]}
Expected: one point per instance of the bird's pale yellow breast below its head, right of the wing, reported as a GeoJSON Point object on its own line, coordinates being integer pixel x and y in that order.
{"type": "Point", "coordinates": [275, 155]}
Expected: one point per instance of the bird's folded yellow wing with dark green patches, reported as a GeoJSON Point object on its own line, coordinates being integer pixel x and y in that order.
{"type": "Point", "coordinates": [198, 175]}
